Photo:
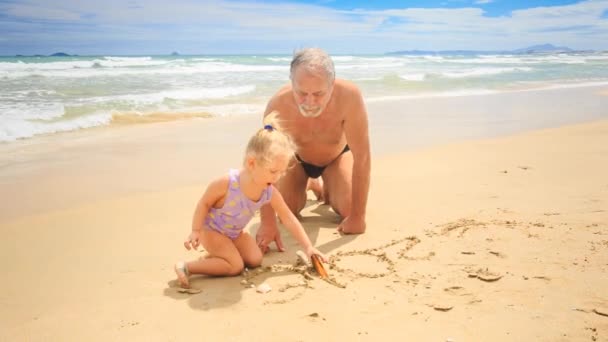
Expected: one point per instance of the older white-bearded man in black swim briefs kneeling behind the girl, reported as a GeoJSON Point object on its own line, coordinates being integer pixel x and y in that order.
{"type": "Point", "coordinates": [327, 119]}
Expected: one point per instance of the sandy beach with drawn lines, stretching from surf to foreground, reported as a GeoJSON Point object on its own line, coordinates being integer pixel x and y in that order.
{"type": "Point", "coordinates": [487, 220]}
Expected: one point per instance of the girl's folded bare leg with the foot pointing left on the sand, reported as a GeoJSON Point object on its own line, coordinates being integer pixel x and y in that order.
{"type": "Point", "coordinates": [224, 258]}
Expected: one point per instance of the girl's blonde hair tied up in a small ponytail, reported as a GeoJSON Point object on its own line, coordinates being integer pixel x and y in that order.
{"type": "Point", "coordinates": [270, 141]}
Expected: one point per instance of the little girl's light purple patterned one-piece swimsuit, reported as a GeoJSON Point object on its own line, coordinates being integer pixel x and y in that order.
{"type": "Point", "coordinates": [237, 211]}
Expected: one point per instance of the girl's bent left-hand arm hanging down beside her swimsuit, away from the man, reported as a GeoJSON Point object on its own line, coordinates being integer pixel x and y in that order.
{"type": "Point", "coordinates": [214, 194]}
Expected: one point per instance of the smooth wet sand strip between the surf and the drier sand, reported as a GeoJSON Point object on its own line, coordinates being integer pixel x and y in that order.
{"type": "Point", "coordinates": [104, 163]}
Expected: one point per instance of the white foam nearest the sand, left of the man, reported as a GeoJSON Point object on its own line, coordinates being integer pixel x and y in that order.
{"type": "Point", "coordinates": [25, 119]}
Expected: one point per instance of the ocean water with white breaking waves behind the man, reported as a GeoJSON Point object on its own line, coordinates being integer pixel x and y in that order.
{"type": "Point", "coordinates": [41, 95]}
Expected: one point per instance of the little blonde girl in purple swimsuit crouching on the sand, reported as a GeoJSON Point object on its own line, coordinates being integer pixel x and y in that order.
{"type": "Point", "coordinates": [230, 202]}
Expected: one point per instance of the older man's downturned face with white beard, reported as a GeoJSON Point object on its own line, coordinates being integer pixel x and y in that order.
{"type": "Point", "coordinates": [311, 91]}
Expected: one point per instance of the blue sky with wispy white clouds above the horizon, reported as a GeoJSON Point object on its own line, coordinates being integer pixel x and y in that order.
{"type": "Point", "coordinates": [144, 27]}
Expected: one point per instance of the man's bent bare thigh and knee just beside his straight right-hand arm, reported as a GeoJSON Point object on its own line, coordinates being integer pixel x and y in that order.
{"type": "Point", "coordinates": [337, 184]}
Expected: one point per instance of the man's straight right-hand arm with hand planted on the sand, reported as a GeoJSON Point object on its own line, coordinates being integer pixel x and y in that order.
{"type": "Point", "coordinates": [357, 135]}
